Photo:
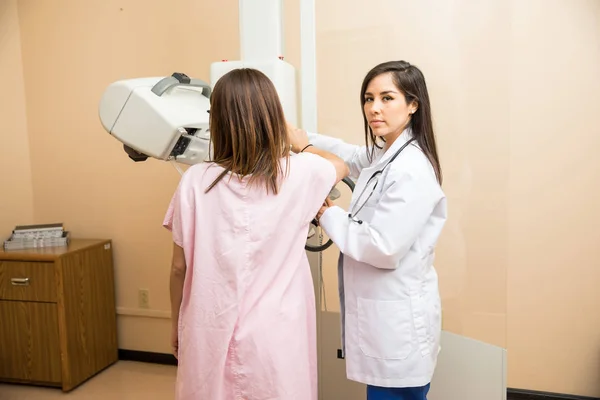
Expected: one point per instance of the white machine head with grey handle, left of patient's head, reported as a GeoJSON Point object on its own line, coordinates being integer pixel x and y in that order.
{"type": "Point", "coordinates": [163, 118]}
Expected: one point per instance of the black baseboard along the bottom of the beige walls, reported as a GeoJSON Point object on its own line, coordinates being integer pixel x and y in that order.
{"type": "Point", "coordinates": [513, 394]}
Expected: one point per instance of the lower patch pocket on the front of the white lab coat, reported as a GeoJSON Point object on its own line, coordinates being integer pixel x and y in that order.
{"type": "Point", "coordinates": [385, 328]}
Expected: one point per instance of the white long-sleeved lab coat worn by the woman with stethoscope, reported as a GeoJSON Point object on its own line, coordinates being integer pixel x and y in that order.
{"type": "Point", "coordinates": [390, 304]}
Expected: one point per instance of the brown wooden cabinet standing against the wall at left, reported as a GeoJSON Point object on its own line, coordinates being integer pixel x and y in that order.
{"type": "Point", "coordinates": [57, 313]}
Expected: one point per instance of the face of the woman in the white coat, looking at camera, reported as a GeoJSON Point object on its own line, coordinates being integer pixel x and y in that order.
{"type": "Point", "coordinates": [386, 109]}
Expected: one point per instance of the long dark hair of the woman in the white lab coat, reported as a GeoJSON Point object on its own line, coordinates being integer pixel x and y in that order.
{"type": "Point", "coordinates": [411, 82]}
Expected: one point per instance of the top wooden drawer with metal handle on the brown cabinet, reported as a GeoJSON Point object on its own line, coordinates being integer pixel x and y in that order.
{"type": "Point", "coordinates": [27, 281]}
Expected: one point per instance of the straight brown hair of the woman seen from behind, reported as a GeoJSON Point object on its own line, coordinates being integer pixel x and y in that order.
{"type": "Point", "coordinates": [248, 128]}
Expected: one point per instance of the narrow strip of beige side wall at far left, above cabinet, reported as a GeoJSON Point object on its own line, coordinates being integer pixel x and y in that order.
{"type": "Point", "coordinates": [16, 204]}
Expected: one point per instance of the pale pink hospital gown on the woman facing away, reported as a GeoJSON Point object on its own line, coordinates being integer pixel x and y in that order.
{"type": "Point", "coordinates": [247, 326]}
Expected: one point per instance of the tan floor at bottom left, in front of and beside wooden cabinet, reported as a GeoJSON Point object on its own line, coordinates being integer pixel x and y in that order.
{"type": "Point", "coordinates": [125, 380]}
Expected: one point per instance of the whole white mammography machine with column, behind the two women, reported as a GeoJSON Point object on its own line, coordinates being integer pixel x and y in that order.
{"type": "Point", "coordinates": [167, 118]}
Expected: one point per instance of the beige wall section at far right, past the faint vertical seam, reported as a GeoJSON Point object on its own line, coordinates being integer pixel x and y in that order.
{"type": "Point", "coordinates": [553, 275]}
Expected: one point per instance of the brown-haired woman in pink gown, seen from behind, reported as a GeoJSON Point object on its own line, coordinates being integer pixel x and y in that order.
{"type": "Point", "coordinates": [244, 323]}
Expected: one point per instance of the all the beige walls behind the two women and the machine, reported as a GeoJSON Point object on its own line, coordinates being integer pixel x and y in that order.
{"type": "Point", "coordinates": [515, 89]}
